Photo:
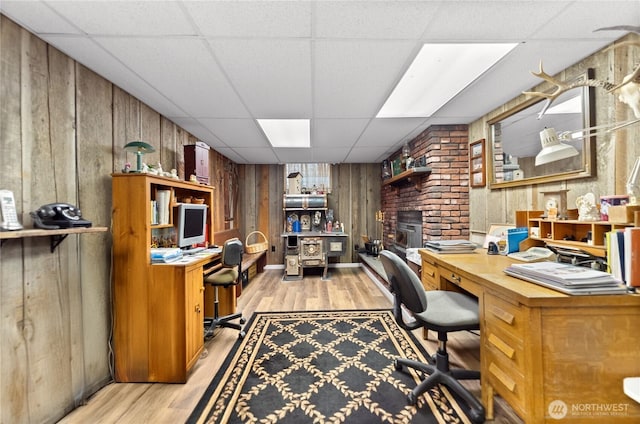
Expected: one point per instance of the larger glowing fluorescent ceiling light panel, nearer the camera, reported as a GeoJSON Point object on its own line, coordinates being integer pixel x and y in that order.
{"type": "Point", "coordinates": [437, 74]}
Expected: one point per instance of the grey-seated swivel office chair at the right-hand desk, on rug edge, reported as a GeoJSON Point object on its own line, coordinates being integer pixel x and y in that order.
{"type": "Point", "coordinates": [440, 311]}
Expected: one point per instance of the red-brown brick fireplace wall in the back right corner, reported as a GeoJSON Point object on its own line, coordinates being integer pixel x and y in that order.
{"type": "Point", "coordinates": [442, 195]}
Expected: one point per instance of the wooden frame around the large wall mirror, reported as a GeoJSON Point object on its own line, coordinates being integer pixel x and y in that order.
{"type": "Point", "coordinates": [588, 168]}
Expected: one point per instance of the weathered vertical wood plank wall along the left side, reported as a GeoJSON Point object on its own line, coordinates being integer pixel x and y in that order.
{"type": "Point", "coordinates": [62, 132]}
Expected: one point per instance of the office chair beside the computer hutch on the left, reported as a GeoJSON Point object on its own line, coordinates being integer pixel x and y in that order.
{"type": "Point", "coordinates": [228, 276]}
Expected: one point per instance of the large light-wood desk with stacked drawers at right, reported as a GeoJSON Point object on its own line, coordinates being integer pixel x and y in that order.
{"type": "Point", "coordinates": [541, 349]}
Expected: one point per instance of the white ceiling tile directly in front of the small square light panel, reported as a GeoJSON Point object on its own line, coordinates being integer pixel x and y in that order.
{"type": "Point", "coordinates": [273, 77]}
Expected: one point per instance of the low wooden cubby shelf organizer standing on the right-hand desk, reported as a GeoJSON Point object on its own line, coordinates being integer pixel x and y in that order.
{"type": "Point", "coordinates": [568, 232]}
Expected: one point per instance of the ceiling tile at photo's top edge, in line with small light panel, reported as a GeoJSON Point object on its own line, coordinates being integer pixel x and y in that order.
{"type": "Point", "coordinates": [251, 18]}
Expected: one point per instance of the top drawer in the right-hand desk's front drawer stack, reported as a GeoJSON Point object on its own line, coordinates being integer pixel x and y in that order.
{"type": "Point", "coordinates": [505, 316]}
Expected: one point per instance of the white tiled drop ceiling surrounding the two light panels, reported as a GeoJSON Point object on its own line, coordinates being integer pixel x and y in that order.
{"type": "Point", "coordinates": [214, 67]}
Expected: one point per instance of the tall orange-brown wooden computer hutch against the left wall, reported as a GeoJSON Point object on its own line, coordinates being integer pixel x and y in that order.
{"type": "Point", "coordinates": [158, 309]}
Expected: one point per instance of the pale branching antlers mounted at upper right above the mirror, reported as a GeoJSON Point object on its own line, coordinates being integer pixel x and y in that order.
{"type": "Point", "coordinates": [628, 96]}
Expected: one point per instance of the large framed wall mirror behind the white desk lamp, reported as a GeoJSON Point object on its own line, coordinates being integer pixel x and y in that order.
{"type": "Point", "coordinates": [514, 139]}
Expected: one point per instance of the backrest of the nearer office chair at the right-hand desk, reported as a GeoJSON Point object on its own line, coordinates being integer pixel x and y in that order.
{"type": "Point", "coordinates": [405, 284]}
